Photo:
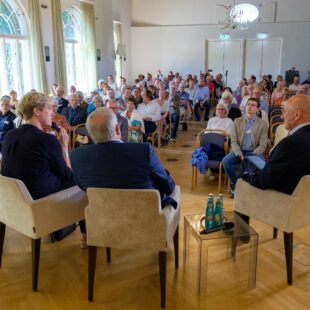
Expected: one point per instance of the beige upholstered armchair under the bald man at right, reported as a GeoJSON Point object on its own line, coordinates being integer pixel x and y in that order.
{"type": "Point", "coordinates": [285, 212]}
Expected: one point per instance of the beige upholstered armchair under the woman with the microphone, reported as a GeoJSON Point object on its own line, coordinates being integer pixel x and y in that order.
{"type": "Point", "coordinates": [37, 218]}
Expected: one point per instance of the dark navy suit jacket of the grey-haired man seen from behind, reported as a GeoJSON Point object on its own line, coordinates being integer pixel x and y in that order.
{"type": "Point", "coordinates": [121, 165]}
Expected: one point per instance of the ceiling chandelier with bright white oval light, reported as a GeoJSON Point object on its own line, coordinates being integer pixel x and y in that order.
{"type": "Point", "coordinates": [239, 16]}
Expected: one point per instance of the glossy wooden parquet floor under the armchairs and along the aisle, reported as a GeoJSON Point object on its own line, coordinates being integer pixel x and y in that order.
{"type": "Point", "coordinates": [131, 281]}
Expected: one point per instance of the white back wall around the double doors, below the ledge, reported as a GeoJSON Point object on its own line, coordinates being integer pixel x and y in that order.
{"type": "Point", "coordinates": [182, 48]}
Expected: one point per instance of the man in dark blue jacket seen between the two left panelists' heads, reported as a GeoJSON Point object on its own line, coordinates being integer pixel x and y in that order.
{"type": "Point", "coordinates": [74, 114]}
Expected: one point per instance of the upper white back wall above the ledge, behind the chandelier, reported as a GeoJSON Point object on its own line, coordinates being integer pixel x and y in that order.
{"type": "Point", "coordinates": [202, 12]}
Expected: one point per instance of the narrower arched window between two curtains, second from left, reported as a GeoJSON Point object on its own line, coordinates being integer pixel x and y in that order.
{"type": "Point", "coordinates": [71, 21]}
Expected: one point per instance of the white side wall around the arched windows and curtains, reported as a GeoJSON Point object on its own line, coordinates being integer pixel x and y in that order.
{"type": "Point", "coordinates": [105, 12]}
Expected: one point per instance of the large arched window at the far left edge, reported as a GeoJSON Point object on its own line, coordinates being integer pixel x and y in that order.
{"type": "Point", "coordinates": [14, 49]}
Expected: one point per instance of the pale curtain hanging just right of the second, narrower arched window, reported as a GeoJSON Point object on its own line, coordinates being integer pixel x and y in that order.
{"type": "Point", "coordinates": [89, 45]}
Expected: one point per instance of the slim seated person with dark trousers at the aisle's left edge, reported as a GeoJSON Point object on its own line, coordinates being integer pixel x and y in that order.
{"type": "Point", "coordinates": [174, 102]}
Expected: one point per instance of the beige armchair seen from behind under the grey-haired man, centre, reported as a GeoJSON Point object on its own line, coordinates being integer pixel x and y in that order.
{"type": "Point", "coordinates": [131, 219]}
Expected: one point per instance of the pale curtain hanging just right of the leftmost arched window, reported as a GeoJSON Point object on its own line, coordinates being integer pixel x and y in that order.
{"type": "Point", "coordinates": [39, 70]}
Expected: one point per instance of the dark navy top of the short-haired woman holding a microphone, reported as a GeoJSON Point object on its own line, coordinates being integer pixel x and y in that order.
{"type": "Point", "coordinates": [35, 157]}
